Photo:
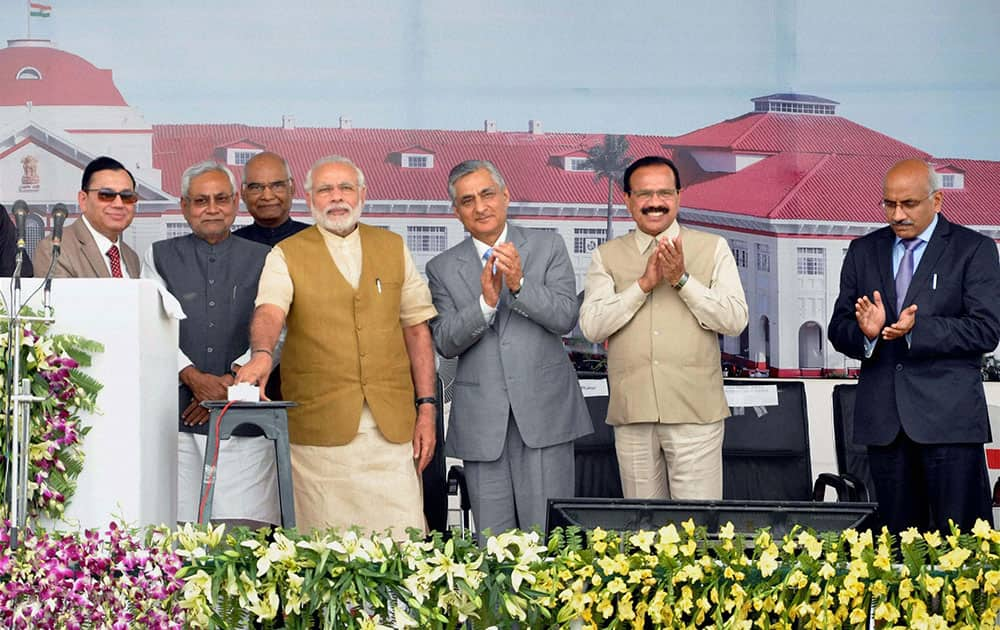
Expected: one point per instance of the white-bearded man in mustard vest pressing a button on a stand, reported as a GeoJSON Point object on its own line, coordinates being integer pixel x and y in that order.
{"type": "Point", "coordinates": [357, 359]}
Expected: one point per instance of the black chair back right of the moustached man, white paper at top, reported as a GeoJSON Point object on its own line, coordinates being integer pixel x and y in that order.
{"type": "Point", "coordinates": [765, 452]}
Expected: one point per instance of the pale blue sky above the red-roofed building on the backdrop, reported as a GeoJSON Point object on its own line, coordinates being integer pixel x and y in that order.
{"type": "Point", "coordinates": [926, 73]}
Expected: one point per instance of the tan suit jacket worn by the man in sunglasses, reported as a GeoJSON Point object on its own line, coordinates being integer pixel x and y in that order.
{"type": "Point", "coordinates": [79, 256]}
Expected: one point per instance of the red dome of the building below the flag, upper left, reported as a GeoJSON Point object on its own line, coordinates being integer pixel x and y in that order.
{"type": "Point", "coordinates": [33, 70]}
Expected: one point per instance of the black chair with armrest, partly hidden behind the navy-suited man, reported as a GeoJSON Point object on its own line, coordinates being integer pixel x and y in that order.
{"type": "Point", "coordinates": [853, 482]}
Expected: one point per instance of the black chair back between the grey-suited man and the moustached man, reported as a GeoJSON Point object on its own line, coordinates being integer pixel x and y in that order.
{"type": "Point", "coordinates": [597, 472]}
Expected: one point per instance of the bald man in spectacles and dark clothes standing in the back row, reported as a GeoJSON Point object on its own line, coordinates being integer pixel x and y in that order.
{"type": "Point", "coordinates": [268, 189]}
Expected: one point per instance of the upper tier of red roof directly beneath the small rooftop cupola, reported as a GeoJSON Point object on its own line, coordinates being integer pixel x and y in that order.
{"type": "Point", "coordinates": [773, 133]}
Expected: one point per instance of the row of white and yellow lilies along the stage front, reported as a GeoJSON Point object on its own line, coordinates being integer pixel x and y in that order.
{"type": "Point", "coordinates": [670, 578]}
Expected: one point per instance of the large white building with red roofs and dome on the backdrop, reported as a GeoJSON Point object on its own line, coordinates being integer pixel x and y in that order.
{"type": "Point", "coordinates": [787, 184]}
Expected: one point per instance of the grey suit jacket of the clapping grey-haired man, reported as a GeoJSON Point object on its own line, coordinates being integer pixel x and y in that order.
{"type": "Point", "coordinates": [519, 363]}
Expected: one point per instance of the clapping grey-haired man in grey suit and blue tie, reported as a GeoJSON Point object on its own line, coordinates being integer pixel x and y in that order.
{"type": "Point", "coordinates": [504, 298]}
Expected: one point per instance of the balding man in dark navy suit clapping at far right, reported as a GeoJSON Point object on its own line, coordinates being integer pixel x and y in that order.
{"type": "Point", "coordinates": [919, 305]}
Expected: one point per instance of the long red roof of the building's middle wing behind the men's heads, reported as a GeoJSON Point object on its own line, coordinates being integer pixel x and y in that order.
{"type": "Point", "coordinates": [523, 158]}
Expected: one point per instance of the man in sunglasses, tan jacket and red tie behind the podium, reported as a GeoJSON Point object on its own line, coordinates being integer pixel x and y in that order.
{"type": "Point", "coordinates": [92, 247]}
